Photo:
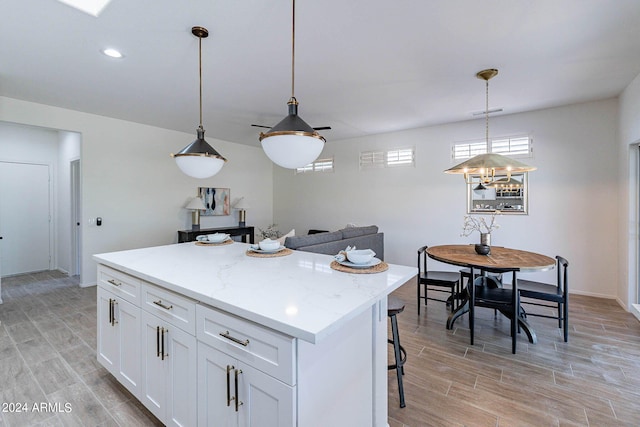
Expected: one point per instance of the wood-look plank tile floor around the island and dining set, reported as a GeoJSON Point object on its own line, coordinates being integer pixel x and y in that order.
{"type": "Point", "coordinates": [47, 354]}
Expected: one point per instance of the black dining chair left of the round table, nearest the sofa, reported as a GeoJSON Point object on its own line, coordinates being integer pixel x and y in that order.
{"type": "Point", "coordinates": [437, 281]}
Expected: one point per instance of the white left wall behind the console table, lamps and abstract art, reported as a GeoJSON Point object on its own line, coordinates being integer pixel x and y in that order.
{"type": "Point", "coordinates": [130, 181]}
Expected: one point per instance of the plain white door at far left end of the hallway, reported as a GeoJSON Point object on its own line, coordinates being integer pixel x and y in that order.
{"type": "Point", "coordinates": [25, 213]}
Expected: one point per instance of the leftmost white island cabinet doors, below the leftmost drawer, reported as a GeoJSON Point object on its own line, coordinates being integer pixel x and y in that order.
{"type": "Point", "coordinates": [118, 323]}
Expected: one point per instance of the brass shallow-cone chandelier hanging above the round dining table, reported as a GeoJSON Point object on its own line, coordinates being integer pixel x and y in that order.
{"type": "Point", "coordinates": [487, 165]}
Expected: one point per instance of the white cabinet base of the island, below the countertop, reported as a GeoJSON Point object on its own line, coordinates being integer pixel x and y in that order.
{"type": "Point", "coordinates": [193, 364]}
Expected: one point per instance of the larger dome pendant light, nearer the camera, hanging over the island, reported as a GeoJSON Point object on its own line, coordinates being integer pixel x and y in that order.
{"type": "Point", "coordinates": [292, 143]}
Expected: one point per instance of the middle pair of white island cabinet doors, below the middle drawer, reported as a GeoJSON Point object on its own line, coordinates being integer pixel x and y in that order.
{"type": "Point", "coordinates": [169, 365]}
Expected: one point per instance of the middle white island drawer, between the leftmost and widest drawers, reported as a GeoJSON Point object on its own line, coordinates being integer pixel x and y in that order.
{"type": "Point", "coordinates": [173, 308]}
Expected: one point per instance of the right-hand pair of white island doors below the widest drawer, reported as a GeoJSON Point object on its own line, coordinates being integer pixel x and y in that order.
{"type": "Point", "coordinates": [232, 393]}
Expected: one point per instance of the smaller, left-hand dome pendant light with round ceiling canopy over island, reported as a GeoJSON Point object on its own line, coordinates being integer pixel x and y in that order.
{"type": "Point", "coordinates": [199, 159]}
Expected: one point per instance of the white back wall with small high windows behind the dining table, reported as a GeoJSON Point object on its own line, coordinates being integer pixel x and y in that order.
{"type": "Point", "coordinates": [572, 197]}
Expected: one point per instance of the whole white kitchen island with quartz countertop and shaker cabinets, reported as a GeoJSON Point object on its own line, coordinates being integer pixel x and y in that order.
{"type": "Point", "coordinates": [206, 335]}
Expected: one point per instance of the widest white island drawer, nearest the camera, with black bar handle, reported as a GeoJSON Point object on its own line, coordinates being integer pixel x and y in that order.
{"type": "Point", "coordinates": [265, 349]}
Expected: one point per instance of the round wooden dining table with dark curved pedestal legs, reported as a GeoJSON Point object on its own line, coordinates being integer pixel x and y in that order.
{"type": "Point", "coordinates": [499, 258]}
